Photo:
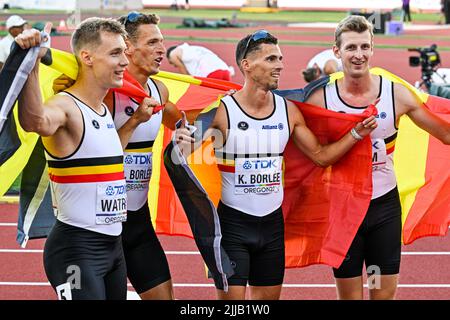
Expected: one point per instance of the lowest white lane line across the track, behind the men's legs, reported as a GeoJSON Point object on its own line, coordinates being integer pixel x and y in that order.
{"type": "Point", "coordinates": [210, 285]}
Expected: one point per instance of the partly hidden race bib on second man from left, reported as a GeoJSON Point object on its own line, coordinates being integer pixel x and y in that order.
{"type": "Point", "coordinates": [138, 171]}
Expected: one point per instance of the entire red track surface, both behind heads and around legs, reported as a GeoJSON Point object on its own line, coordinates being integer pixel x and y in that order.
{"type": "Point", "coordinates": [421, 271]}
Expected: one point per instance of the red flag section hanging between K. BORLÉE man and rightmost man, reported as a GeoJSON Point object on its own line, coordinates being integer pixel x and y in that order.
{"type": "Point", "coordinates": [324, 207]}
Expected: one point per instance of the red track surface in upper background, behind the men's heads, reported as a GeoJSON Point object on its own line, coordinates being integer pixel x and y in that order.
{"type": "Point", "coordinates": [297, 57]}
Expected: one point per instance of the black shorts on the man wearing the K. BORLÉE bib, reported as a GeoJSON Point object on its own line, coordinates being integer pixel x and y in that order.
{"type": "Point", "coordinates": [255, 246]}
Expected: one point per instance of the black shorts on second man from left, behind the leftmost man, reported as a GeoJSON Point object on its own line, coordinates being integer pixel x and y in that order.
{"type": "Point", "coordinates": [147, 264]}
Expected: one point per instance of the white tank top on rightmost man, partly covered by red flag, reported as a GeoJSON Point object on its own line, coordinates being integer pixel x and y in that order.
{"type": "Point", "coordinates": [383, 137]}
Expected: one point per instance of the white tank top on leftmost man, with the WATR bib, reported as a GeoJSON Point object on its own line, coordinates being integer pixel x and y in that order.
{"type": "Point", "coordinates": [88, 186]}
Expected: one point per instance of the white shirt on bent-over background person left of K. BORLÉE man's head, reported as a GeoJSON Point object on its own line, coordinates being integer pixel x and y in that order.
{"type": "Point", "coordinates": [200, 61]}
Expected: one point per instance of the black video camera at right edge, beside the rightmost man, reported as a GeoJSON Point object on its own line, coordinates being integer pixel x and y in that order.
{"type": "Point", "coordinates": [428, 59]}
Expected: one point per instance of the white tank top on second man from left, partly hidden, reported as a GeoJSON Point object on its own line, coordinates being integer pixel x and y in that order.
{"type": "Point", "coordinates": [138, 153]}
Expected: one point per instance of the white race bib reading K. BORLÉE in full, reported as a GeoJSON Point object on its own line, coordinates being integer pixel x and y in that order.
{"type": "Point", "coordinates": [257, 175]}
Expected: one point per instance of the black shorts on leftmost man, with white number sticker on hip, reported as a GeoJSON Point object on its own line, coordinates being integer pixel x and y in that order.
{"type": "Point", "coordinates": [85, 265]}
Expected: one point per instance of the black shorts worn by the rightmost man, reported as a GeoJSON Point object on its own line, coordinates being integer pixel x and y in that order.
{"type": "Point", "coordinates": [378, 240]}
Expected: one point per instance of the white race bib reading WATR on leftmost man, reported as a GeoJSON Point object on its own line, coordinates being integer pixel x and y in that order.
{"type": "Point", "coordinates": [111, 202]}
